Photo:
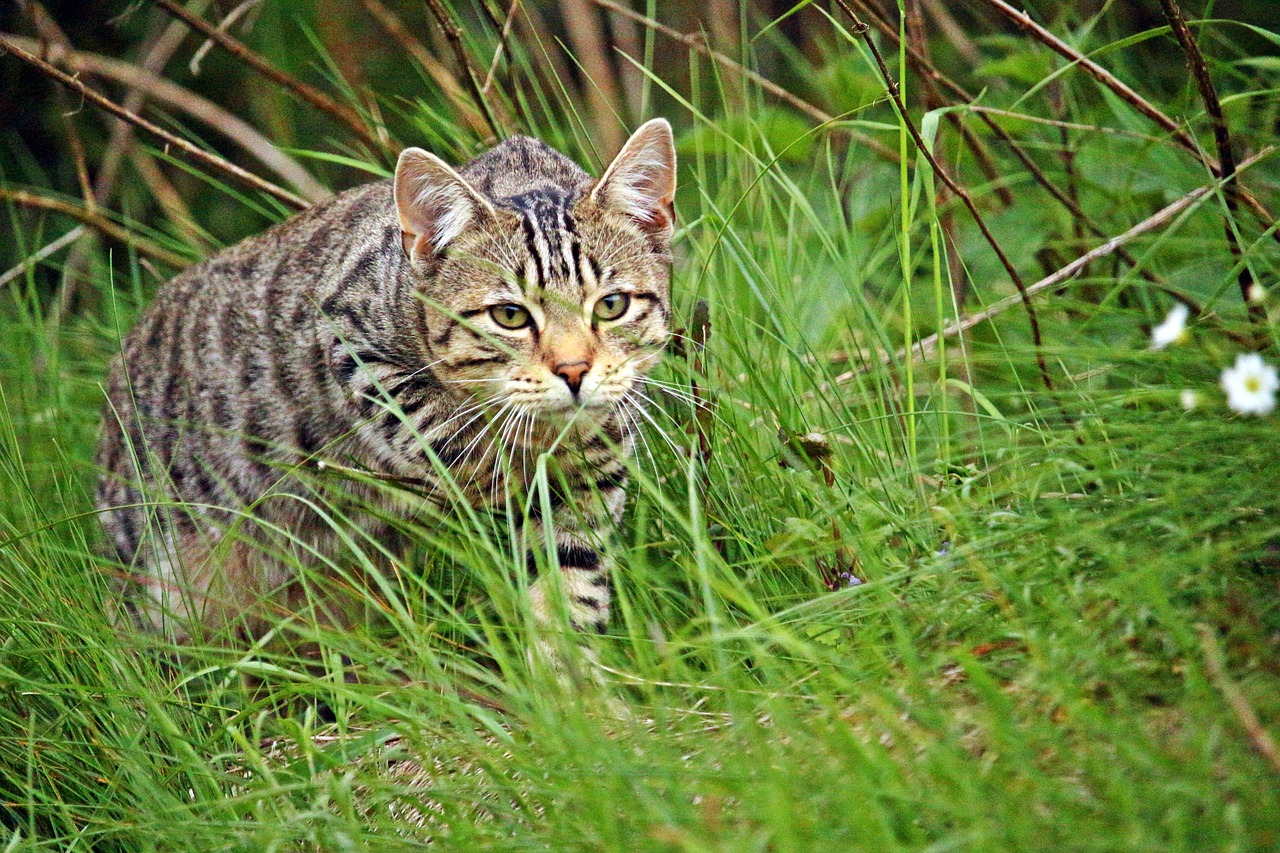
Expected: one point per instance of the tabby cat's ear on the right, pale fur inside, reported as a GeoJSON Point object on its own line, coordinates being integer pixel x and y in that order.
{"type": "Point", "coordinates": [642, 180]}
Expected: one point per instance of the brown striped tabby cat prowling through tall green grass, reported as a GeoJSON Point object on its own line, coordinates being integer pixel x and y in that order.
{"type": "Point", "coordinates": [409, 330]}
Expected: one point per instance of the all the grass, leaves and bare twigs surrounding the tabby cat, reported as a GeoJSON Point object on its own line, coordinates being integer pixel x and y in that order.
{"type": "Point", "coordinates": [930, 548]}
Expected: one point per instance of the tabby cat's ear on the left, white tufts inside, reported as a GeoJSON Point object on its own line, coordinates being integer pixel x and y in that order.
{"type": "Point", "coordinates": [435, 204]}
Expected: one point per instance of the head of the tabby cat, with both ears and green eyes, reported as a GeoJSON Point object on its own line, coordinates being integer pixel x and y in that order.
{"type": "Point", "coordinates": [552, 302]}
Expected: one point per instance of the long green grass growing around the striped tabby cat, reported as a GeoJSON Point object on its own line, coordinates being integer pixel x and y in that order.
{"type": "Point", "coordinates": [1026, 663]}
